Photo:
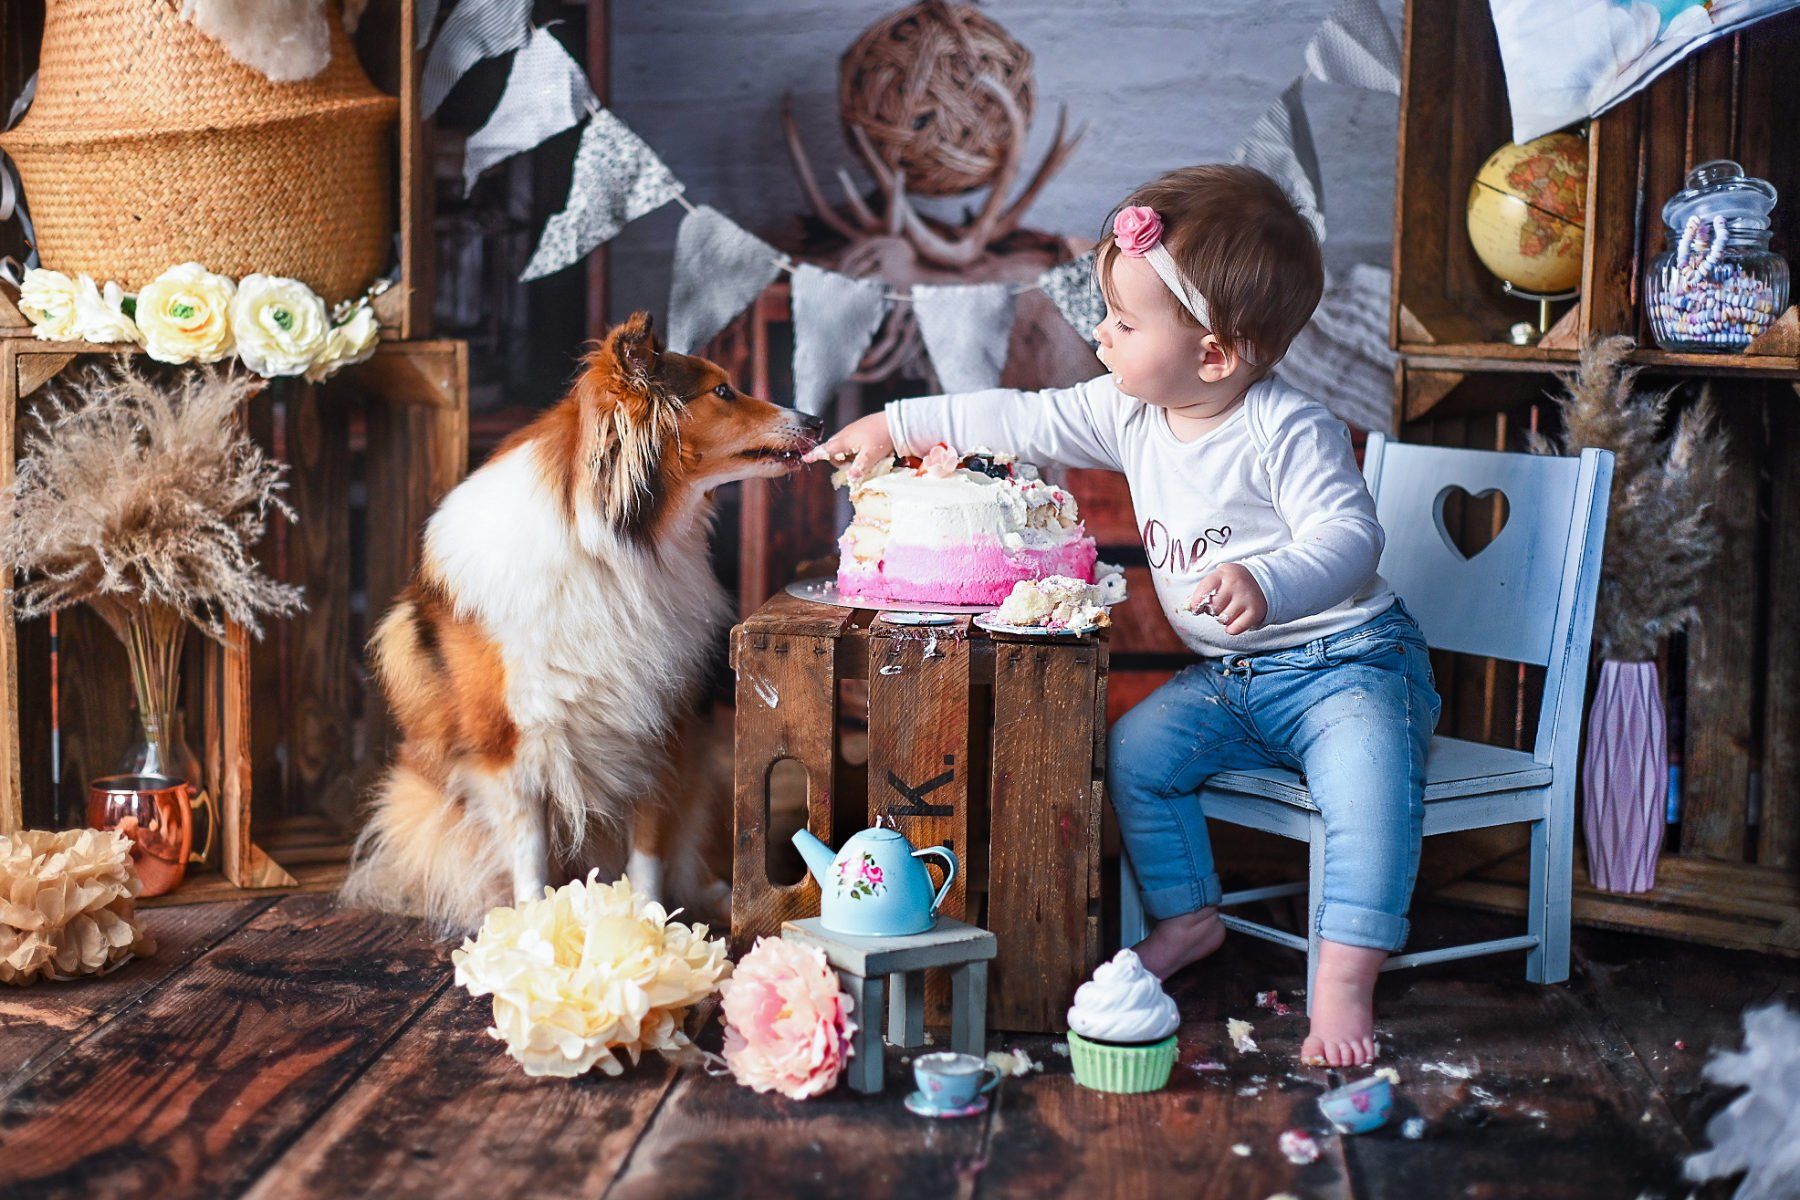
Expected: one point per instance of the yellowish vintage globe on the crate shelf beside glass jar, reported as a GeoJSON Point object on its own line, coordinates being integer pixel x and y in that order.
{"type": "Point", "coordinates": [1529, 213]}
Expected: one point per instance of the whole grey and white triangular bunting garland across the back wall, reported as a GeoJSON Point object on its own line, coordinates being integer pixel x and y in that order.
{"type": "Point", "coordinates": [719, 267]}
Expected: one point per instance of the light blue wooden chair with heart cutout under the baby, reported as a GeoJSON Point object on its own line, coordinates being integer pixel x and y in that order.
{"type": "Point", "coordinates": [1525, 598]}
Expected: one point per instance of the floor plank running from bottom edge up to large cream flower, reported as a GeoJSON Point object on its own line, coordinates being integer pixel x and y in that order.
{"type": "Point", "coordinates": [445, 1113]}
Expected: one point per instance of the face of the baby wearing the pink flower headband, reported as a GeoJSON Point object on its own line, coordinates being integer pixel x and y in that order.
{"type": "Point", "coordinates": [1153, 354]}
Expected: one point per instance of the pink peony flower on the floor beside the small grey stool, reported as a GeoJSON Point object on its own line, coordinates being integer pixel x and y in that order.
{"type": "Point", "coordinates": [787, 1021]}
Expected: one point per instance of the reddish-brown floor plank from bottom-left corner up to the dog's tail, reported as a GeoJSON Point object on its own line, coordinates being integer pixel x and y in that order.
{"type": "Point", "coordinates": [193, 1091]}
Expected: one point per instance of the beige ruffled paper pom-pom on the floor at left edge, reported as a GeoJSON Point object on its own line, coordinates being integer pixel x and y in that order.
{"type": "Point", "coordinates": [67, 904]}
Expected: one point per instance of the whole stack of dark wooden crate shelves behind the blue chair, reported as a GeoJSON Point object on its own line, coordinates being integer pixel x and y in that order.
{"type": "Point", "coordinates": [1736, 681]}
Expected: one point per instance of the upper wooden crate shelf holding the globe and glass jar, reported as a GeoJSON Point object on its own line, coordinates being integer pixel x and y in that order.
{"type": "Point", "coordinates": [1732, 100]}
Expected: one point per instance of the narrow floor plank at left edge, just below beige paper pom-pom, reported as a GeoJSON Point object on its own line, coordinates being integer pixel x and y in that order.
{"type": "Point", "coordinates": [46, 1021]}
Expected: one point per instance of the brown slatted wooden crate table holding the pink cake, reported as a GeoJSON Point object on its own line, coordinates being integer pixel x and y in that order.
{"type": "Point", "coordinates": [987, 744]}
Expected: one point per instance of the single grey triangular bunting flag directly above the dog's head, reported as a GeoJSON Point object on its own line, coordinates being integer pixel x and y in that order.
{"type": "Point", "coordinates": [719, 271]}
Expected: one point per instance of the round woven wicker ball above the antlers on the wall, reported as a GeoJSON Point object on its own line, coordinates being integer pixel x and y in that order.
{"type": "Point", "coordinates": [912, 84]}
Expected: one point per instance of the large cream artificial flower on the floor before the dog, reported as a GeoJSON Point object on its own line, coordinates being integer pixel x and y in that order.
{"type": "Point", "coordinates": [588, 971]}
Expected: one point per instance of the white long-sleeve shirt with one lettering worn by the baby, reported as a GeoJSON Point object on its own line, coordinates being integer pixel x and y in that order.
{"type": "Point", "coordinates": [1273, 488]}
